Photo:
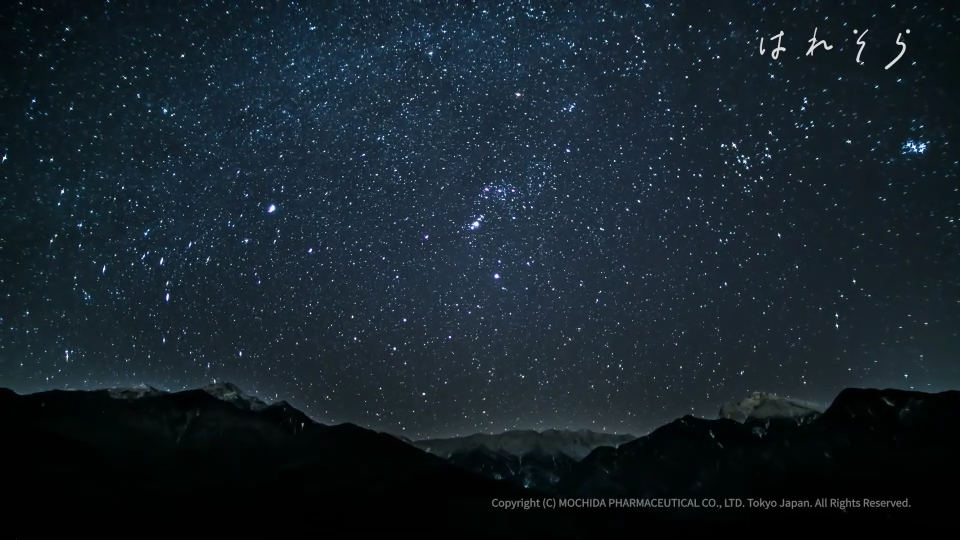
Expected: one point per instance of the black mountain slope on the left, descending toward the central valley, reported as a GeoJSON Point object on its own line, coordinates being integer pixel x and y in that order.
{"type": "Point", "coordinates": [104, 456]}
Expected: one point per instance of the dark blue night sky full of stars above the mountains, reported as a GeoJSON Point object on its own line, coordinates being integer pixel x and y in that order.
{"type": "Point", "coordinates": [438, 218]}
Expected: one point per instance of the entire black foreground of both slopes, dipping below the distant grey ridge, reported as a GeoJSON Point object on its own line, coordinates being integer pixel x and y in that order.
{"type": "Point", "coordinates": [192, 463]}
